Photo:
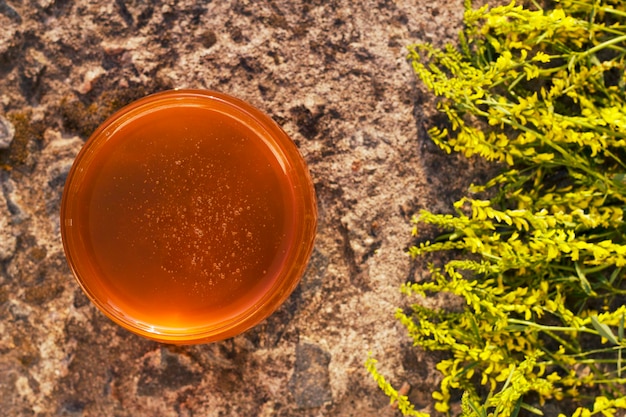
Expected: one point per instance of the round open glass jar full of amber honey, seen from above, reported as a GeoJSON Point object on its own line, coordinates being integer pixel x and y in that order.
{"type": "Point", "coordinates": [188, 216]}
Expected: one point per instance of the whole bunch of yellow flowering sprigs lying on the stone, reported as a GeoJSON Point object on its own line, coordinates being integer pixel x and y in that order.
{"type": "Point", "coordinates": [539, 276]}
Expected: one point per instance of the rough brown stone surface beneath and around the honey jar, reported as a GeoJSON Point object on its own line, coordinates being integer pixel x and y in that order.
{"type": "Point", "coordinates": [333, 74]}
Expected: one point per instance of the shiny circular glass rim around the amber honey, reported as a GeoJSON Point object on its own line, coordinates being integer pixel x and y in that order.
{"type": "Point", "coordinates": [303, 200]}
